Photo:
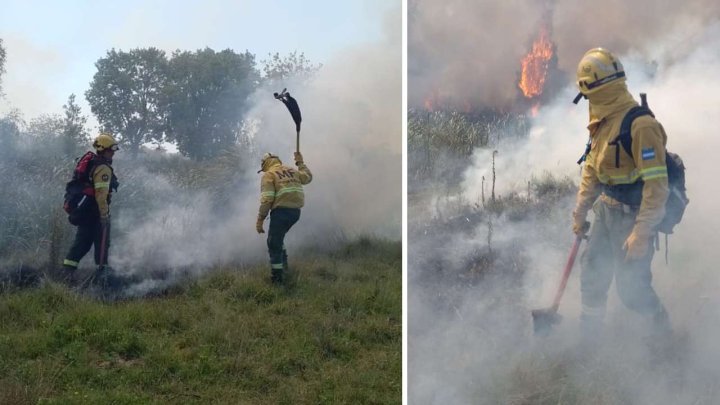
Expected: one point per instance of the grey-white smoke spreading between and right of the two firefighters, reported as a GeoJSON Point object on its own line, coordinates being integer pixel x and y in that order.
{"type": "Point", "coordinates": [350, 140]}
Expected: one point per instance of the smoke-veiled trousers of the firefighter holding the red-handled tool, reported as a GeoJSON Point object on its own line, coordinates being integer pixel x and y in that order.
{"type": "Point", "coordinates": [604, 258]}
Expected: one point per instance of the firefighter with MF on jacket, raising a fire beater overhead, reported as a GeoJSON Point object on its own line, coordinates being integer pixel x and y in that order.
{"type": "Point", "coordinates": [281, 195]}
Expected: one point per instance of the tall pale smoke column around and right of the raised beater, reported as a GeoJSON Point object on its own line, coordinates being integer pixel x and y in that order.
{"type": "Point", "coordinates": [350, 138]}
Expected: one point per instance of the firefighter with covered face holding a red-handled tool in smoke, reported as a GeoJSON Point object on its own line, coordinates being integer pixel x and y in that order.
{"type": "Point", "coordinates": [627, 195]}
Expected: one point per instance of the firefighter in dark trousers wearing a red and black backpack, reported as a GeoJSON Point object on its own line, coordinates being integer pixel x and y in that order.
{"type": "Point", "coordinates": [92, 216]}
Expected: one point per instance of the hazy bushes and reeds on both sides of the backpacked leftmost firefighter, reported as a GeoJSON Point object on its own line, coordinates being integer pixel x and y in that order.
{"type": "Point", "coordinates": [33, 186]}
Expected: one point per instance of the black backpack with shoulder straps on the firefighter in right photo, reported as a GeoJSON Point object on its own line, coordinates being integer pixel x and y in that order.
{"type": "Point", "coordinates": [677, 198]}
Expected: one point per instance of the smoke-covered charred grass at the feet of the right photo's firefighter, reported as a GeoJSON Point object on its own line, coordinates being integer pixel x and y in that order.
{"type": "Point", "coordinates": [467, 268]}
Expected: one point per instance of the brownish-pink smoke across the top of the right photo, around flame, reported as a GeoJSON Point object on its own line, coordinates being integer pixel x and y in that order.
{"type": "Point", "coordinates": [468, 52]}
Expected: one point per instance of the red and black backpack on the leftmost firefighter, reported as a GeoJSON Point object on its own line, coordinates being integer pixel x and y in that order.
{"type": "Point", "coordinates": [80, 201]}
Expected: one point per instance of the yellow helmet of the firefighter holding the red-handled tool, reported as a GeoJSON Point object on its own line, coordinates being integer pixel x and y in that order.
{"type": "Point", "coordinates": [596, 68]}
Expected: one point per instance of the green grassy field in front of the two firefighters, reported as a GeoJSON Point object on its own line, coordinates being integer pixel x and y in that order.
{"type": "Point", "coordinates": [229, 337]}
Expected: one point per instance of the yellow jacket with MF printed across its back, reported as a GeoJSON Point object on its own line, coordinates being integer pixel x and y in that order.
{"type": "Point", "coordinates": [281, 186]}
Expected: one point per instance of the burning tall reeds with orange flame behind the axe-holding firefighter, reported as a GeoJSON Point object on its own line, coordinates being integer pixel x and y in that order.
{"type": "Point", "coordinates": [451, 127]}
